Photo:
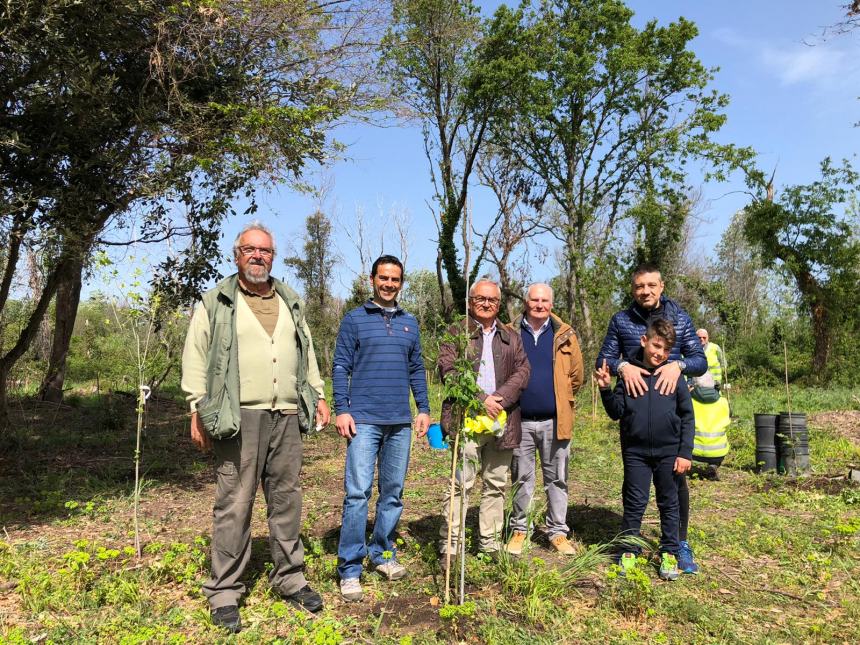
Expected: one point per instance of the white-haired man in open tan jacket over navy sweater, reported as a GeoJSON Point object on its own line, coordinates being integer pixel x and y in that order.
{"type": "Point", "coordinates": [547, 406]}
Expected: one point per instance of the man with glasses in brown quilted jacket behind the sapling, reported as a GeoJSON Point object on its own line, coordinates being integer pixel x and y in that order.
{"type": "Point", "coordinates": [498, 357]}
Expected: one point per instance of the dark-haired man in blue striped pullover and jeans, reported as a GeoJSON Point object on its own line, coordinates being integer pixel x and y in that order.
{"type": "Point", "coordinates": [377, 362]}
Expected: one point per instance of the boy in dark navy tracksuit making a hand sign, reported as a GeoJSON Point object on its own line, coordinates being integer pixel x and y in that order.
{"type": "Point", "coordinates": [657, 433]}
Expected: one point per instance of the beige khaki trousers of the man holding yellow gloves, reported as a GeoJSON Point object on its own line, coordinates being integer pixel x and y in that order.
{"type": "Point", "coordinates": [495, 466]}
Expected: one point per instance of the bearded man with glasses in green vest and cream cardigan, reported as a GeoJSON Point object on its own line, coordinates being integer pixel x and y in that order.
{"type": "Point", "coordinates": [250, 371]}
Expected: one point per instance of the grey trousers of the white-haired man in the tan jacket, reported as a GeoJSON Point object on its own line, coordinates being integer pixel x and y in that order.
{"type": "Point", "coordinates": [539, 437]}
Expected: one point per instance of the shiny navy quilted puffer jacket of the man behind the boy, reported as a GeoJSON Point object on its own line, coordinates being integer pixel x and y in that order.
{"type": "Point", "coordinates": [626, 328]}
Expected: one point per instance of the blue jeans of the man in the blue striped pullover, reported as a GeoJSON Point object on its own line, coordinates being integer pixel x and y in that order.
{"type": "Point", "coordinates": [388, 446]}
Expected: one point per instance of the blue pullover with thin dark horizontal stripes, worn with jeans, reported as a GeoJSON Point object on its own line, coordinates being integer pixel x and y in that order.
{"type": "Point", "coordinates": [377, 361]}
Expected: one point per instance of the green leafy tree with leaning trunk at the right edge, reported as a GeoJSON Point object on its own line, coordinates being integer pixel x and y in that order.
{"type": "Point", "coordinates": [810, 233]}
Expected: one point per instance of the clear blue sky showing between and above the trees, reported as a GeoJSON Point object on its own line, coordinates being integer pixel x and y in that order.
{"type": "Point", "coordinates": [794, 99]}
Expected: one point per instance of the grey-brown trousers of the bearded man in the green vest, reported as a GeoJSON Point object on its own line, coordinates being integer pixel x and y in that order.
{"type": "Point", "coordinates": [268, 449]}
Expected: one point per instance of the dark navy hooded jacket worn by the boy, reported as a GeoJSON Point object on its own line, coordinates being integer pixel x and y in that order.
{"type": "Point", "coordinates": [653, 424]}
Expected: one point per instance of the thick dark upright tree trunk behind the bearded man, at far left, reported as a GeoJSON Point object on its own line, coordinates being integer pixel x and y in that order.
{"type": "Point", "coordinates": [68, 298]}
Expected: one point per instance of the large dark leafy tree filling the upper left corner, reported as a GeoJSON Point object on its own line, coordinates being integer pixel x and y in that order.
{"type": "Point", "coordinates": [160, 109]}
